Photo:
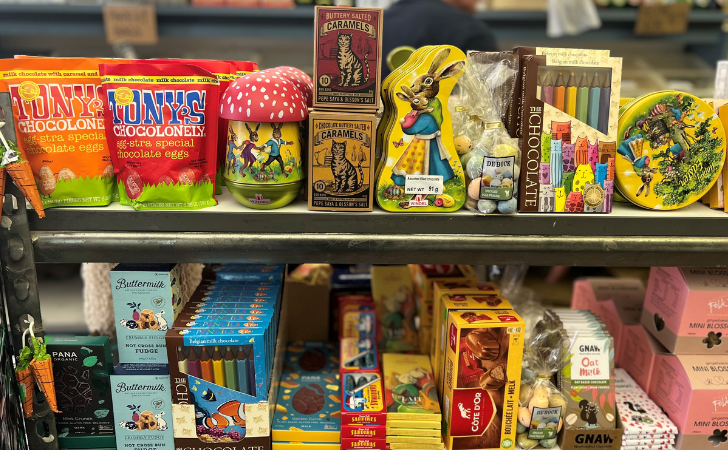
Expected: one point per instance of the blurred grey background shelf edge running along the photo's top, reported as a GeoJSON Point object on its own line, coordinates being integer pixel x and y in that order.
{"type": "Point", "coordinates": [704, 34]}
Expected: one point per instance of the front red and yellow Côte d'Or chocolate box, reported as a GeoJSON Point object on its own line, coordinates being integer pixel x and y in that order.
{"type": "Point", "coordinates": [483, 376]}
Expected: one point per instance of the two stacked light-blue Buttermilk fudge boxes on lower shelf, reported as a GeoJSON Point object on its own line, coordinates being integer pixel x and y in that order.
{"type": "Point", "coordinates": [147, 300]}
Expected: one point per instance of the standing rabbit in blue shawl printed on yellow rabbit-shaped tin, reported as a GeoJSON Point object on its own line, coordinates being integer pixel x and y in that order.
{"type": "Point", "coordinates": [426, 153]}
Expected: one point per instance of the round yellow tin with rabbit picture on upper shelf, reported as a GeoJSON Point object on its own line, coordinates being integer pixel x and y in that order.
{"type": "Point", "coordinates": [671, 152]}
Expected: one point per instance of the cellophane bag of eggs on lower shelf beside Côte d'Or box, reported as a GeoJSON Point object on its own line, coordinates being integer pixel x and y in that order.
{"type": "Point", "coordinates": [542, 406]}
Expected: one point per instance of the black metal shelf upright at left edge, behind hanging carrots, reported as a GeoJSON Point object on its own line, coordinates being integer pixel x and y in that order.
{"type": "Point", "coordinates": [23, 307]}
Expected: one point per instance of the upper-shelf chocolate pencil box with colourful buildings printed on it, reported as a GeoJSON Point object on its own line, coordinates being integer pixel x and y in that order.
{"type": "Point", "coordinates": [568, 108]}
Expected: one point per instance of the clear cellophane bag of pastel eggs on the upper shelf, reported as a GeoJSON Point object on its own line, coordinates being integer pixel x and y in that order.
{"type": "Point", "coordinates": [492, 164]}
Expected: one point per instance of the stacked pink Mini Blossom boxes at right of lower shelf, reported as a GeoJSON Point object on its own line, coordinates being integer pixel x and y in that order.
{"type": "Point", "coordinates": [676, 354]}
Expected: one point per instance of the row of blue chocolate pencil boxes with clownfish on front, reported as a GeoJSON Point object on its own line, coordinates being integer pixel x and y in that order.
{"type": "Point", "coordinates": [225, 360]}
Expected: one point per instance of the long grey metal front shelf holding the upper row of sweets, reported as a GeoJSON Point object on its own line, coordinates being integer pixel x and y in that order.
{"type": "Point", "coordinates": [693, 236]}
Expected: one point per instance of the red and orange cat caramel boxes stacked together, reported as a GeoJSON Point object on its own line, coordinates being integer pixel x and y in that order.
{"type": "Point", "coordinates": [347, 66]}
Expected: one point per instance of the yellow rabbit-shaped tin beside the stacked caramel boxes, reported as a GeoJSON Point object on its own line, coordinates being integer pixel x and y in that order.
{"type": "Point", "coordinates": [421, 170]}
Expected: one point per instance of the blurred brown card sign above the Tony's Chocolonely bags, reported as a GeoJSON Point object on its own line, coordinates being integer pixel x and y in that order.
{"type": "Point", "coordinates": [131, 24]}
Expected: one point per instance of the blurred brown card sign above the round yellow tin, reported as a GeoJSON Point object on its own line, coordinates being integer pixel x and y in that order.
{"type": "Point", "coordinates": [659, 20]}
